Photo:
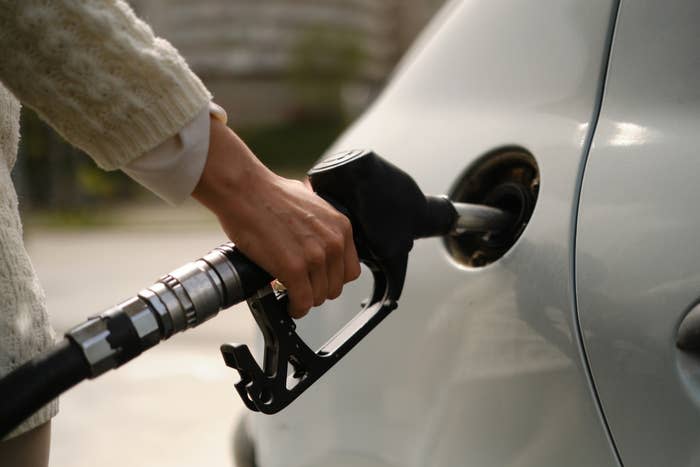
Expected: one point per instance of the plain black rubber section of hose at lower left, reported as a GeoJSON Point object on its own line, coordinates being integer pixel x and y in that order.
{"type": "Point", "coordinates": [34, 384]}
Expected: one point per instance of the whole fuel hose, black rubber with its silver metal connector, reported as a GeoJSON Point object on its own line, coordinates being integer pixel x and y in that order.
{"type": "Point", "coordinates": [178, 301]}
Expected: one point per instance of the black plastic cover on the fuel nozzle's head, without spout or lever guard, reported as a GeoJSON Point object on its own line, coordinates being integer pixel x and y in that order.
{"type": "Point", "coordinates": [386, 208]}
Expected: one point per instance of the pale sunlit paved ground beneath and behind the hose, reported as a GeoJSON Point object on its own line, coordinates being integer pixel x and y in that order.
{"type": "Point", "coordinates": [173, 406]}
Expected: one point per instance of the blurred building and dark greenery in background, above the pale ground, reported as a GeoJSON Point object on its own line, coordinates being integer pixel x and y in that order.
{"type": "Point", "coordinates": [291, 74]}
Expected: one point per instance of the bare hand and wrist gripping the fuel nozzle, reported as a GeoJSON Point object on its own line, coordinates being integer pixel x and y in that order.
{"type": "Point", "coordinates": [278, 223]}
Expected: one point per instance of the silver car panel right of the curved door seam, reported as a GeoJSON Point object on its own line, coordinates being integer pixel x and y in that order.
{"type": "Point", "coordinates": [638, 265]}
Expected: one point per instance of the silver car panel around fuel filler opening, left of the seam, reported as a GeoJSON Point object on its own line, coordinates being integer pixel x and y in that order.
{"type": "Point", "coordinates": [477, 366]}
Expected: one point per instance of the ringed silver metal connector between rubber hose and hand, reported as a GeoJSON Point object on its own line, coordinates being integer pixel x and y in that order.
{"type": "Point", "coordinates": [182, 299]}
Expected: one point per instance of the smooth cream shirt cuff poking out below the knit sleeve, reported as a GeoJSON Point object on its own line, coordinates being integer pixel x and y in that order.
{"type": "Point", "coordinates": [172, 169]}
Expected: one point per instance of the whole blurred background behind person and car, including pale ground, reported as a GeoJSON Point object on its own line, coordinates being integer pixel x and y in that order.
{"type": "Point", "coordinates": [292, 74]}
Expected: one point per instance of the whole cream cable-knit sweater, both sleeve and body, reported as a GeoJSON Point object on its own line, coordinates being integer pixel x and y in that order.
{"type": "Point", "coordinates": [97, 75]}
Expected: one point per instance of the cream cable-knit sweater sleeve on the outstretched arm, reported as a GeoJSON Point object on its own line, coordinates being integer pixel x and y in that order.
{"type": "Point", "coordinates": [98, 75]}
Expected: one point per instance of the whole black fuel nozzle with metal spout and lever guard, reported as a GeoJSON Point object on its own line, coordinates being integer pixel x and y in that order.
{"type": "Point", "coordinates": [388, 211]}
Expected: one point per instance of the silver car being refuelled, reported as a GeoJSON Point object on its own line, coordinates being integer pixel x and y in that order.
{"type": "Point", "coordinates": [557, 347]}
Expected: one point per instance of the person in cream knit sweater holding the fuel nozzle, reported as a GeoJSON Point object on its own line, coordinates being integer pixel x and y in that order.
{"type": "Point", "coordinates": [100, 77]}
